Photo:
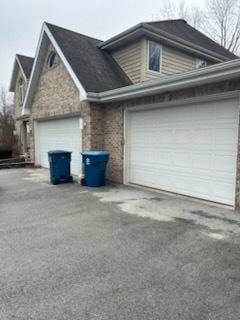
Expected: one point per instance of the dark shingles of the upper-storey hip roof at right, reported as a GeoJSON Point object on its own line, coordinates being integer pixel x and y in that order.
{"type": "Point", "coordinates": [182, 29]}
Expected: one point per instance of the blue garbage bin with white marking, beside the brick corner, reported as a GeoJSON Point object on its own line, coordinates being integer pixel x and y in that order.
{"type": "Point", "coordinates": [95, 167]}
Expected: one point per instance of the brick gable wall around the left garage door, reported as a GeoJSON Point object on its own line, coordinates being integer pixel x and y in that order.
{"type": "Point", "coordinates": [57, 96]}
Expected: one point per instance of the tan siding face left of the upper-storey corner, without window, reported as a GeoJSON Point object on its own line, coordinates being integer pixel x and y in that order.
{"type": "Point", "coordinates": [129, 59]}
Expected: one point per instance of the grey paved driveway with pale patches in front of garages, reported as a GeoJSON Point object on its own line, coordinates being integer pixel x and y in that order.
{"type": "Point", "coordinates": [115, 253]}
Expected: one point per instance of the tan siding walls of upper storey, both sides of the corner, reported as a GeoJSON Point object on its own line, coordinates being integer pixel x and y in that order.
{"type": "Point", "coordinates": [133, 59]}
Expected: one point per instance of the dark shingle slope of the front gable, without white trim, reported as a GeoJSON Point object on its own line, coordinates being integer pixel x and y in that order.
{"type": "Point", "coordinates": [96, 69]}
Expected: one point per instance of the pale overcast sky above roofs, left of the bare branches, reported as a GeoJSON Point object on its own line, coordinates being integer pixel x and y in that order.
{"type": "Point", "coordinates": [21, 20]}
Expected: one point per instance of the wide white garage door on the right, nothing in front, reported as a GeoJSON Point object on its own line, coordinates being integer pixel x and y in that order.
{"type": "Point", "coordinates": [190, 150]}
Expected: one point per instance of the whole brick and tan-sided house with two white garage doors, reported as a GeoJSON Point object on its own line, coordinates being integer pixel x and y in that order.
{"type": "Point", "coordinates": [161, 97]}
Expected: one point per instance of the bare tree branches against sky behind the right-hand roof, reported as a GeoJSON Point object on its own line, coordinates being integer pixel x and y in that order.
{"type": "Point", "coordinates": [219, 19]}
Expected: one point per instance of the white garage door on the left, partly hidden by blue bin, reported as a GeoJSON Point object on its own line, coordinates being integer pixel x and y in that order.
{"type": "Point", "coordinates": [62, 134]}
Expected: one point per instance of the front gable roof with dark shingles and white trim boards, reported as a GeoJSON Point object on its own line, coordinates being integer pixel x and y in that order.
{"type": "Point", "coordinates": [91, 69]}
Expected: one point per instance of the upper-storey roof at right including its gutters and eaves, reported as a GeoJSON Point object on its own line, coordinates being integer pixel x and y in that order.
{"type": "Point", "coordinates": [176, 33]}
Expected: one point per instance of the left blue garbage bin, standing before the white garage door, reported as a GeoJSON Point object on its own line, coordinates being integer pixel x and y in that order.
{"type": "Point", "coordinates": [60, 166]}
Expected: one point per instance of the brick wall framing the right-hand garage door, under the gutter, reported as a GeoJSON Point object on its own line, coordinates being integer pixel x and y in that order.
{"type": "Point", "coordinates": [113, 119]}
